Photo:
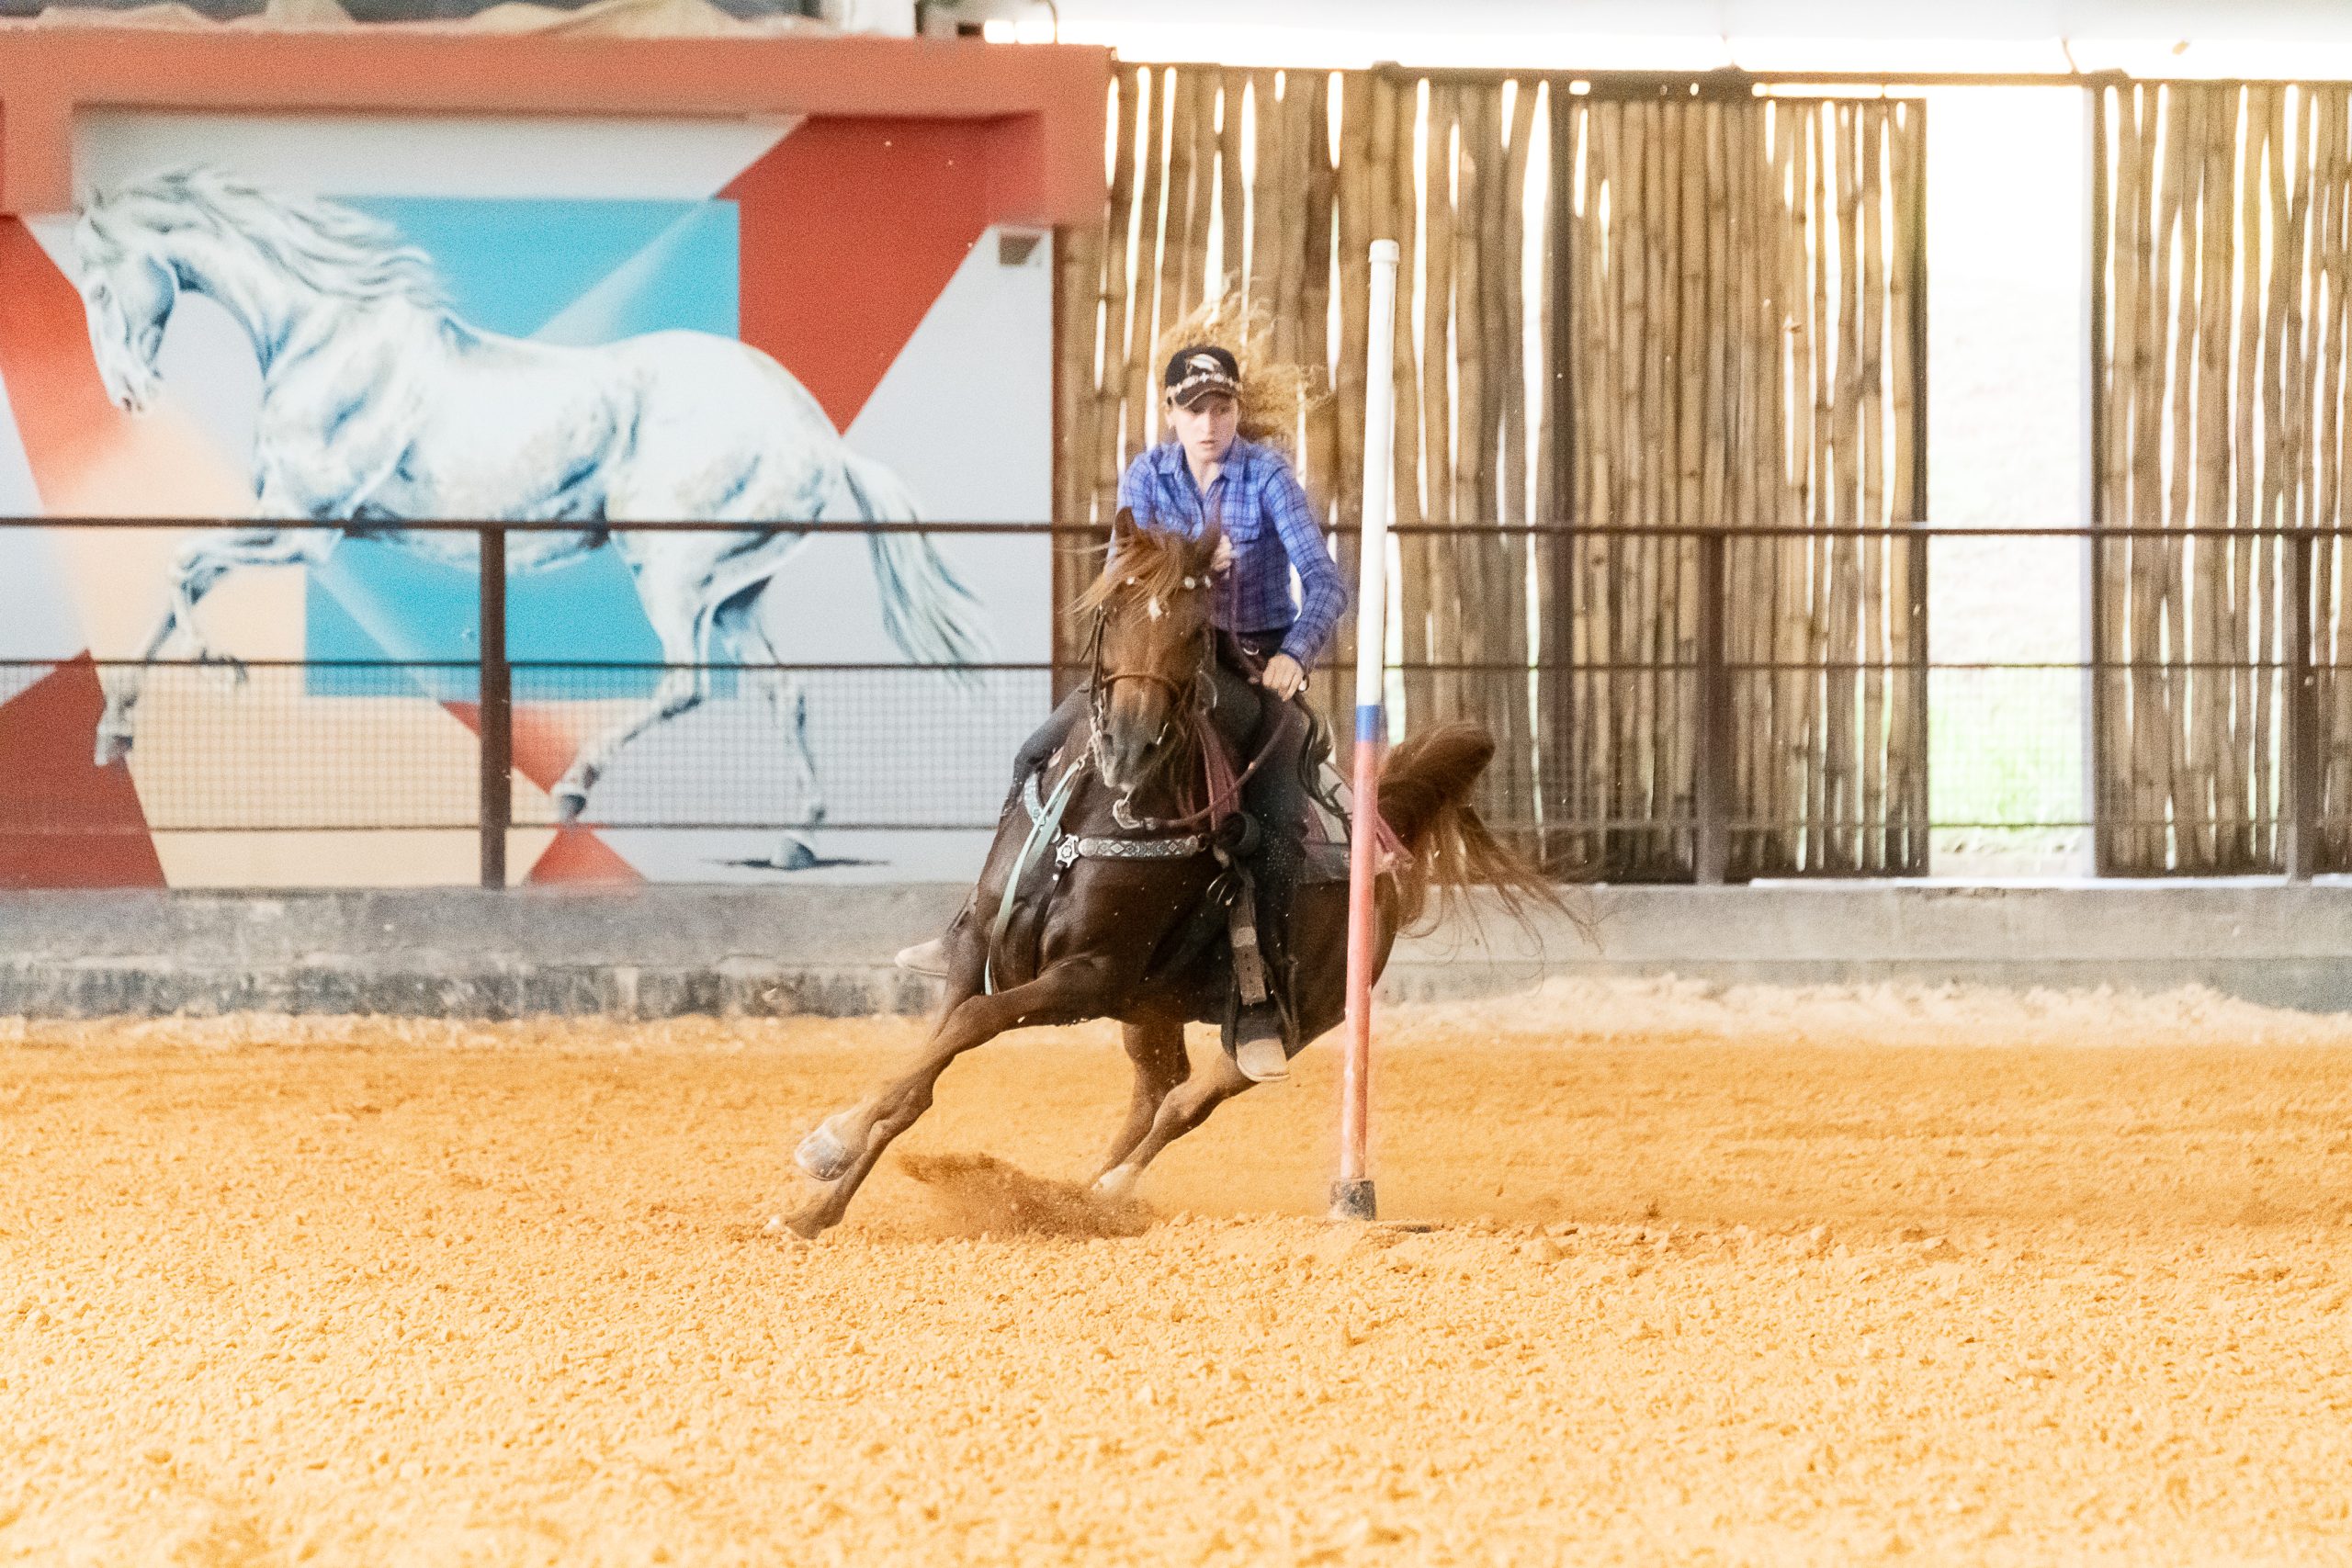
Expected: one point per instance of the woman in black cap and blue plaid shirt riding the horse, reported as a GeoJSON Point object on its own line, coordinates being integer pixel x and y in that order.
{"type": "Point", "coordinates": [1208, 474]}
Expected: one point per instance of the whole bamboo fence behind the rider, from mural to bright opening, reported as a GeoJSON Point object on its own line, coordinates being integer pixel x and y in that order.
{"type": "Point", "coordinates": [1619, 311]}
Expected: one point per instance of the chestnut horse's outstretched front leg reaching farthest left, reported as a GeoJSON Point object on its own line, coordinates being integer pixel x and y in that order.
{"type": "Point", "coordinates": [846, 1148]}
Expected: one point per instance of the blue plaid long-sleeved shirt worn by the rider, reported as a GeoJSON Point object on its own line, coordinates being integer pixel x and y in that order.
{"type": "Point", "coordinates": [1271, 528]}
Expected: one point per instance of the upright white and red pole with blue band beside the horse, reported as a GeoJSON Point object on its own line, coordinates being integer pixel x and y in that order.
{"type": "Point", "coordinates": [1351, 1198]}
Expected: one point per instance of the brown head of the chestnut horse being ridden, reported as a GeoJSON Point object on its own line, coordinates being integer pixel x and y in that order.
{"type": "Point", "coordinates": [1154, 605]}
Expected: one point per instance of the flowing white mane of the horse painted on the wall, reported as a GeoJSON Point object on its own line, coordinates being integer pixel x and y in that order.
{"type": "Point", "coordinates": [319, 243]}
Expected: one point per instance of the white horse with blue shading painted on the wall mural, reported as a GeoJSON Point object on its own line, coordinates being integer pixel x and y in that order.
{"type": "Point", "coordinates": [380, 406]}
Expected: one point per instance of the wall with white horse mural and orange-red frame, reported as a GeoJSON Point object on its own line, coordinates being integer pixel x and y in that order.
{"type": "Point", "coordinates": [704, 279]}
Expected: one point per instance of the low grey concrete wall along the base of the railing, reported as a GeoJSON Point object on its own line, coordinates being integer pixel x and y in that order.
{"type": "Point", "coordinates": [827, 951]}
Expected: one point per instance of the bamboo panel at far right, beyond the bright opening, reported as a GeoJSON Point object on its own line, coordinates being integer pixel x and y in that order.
{"type": "Point", "coordinates": [2221, 272]}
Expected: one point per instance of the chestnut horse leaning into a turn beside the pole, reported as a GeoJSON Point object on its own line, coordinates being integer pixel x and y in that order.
{"type": "Point", "coordinates": [1109, 927]}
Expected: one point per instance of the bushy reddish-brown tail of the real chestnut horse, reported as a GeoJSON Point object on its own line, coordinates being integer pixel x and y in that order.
{"type": "Point", "coordinates": [1448, 845]}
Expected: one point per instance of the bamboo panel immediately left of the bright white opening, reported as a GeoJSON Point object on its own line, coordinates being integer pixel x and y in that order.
{"type": "Point", "coordinates": [1744, 337]}
